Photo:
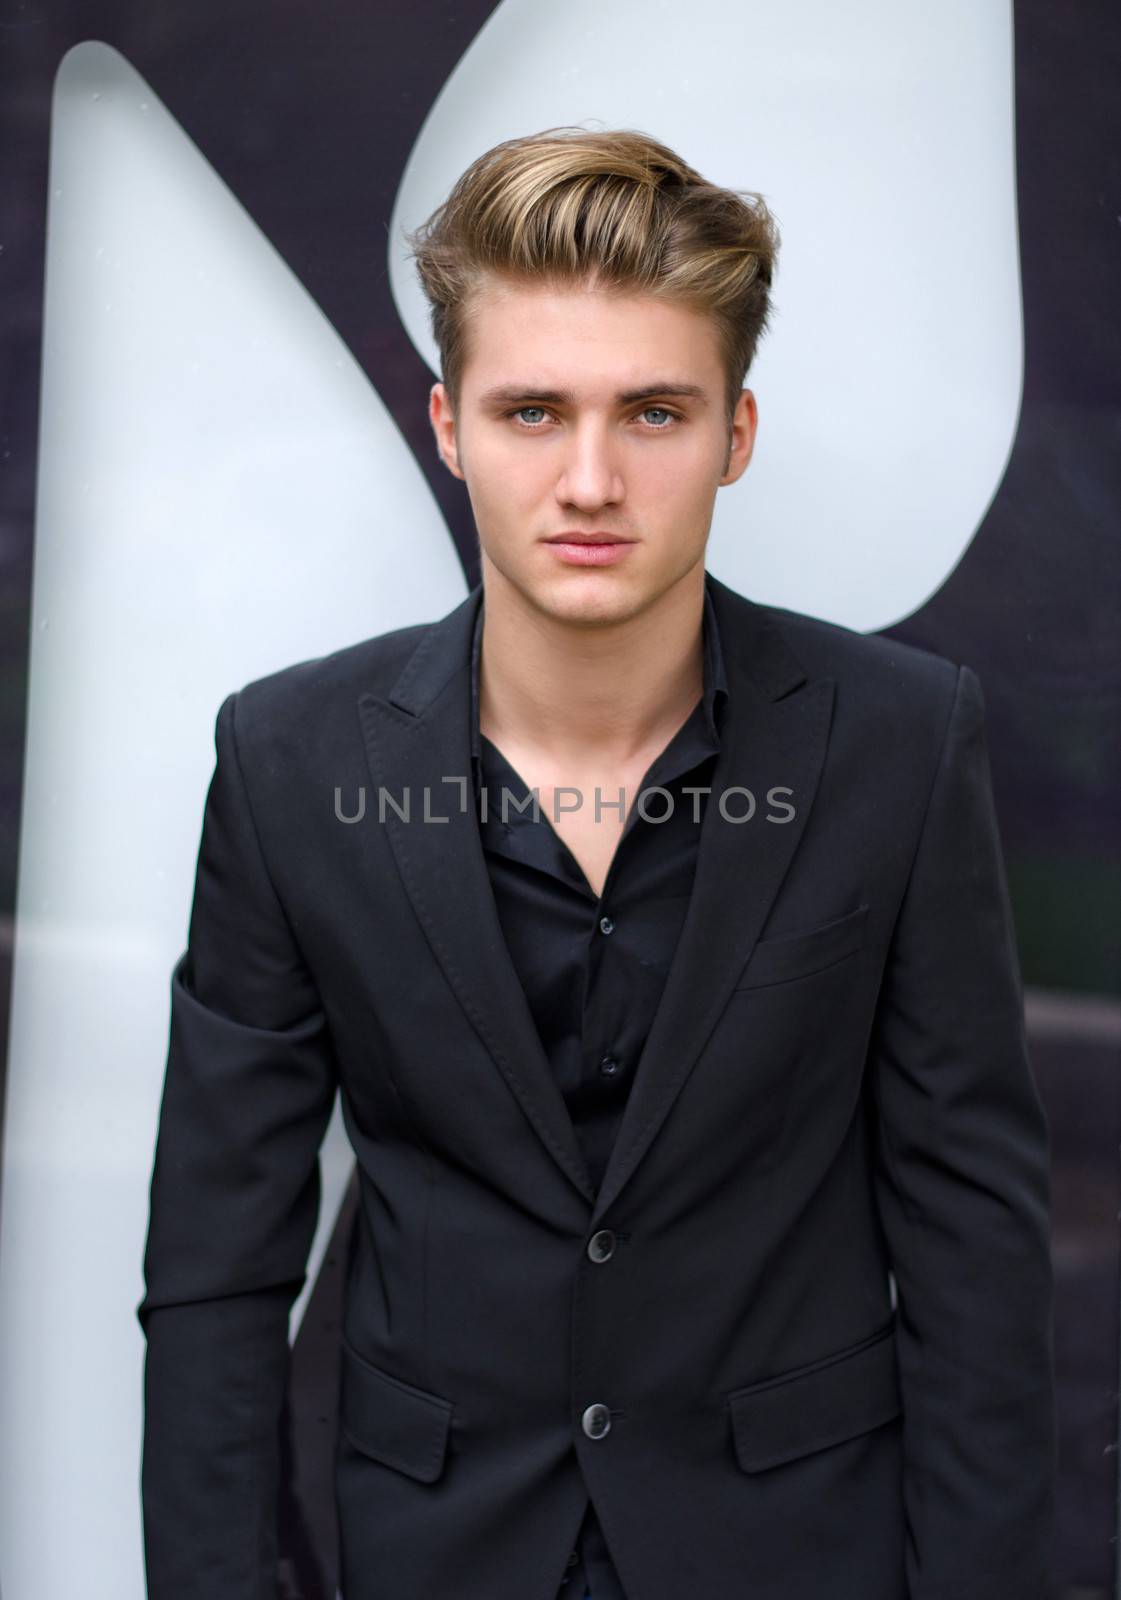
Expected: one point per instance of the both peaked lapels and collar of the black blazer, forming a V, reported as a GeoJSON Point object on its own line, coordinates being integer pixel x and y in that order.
{"type": "Point", "coordinates": [775, 734]}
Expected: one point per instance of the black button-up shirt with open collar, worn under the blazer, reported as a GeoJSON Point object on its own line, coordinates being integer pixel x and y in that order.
{"type": "Point", "coordinates": [594, 967]}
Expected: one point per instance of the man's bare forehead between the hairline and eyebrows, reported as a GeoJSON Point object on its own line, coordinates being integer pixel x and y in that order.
{"type": "Point", "coordinates": [576, 335]}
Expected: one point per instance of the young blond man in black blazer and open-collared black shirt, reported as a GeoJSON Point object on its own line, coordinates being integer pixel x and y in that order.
{"type": "Point", "coordinates": [703, 1246]}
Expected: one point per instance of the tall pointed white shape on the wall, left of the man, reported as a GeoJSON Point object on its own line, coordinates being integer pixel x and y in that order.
{"type": "Point", "coordinates": [220, 494]}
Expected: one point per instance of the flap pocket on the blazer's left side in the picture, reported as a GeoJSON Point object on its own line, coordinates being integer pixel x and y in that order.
{"type": "Point", "coordinates": [393, 1422]}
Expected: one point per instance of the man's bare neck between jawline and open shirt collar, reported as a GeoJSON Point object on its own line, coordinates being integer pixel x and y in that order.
{"type": "Point", "coordinates": [578, 692]}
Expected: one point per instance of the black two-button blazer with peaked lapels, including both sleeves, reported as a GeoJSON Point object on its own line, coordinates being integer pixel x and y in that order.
{"type": "Point", "coordinates": [799, 1345]}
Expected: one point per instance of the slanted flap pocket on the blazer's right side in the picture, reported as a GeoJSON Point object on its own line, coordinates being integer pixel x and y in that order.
{"type": "Point", "coordinates": [815, 1407]}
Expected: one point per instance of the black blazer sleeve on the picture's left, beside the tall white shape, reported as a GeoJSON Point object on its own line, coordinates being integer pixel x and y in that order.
{"type": "Point", "coordinates": [234, 1201]}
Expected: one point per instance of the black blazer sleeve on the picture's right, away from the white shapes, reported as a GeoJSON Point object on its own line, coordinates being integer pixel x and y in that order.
{"type": "Point", "coordinates": [962, 1180]}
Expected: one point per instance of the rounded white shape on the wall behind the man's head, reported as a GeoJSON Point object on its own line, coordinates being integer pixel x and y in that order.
{"type": "Point", "coordinates": [884, 138]}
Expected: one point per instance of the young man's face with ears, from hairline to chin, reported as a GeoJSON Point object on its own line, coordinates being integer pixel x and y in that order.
{"type": "Point", "coordinates": [588, 412]}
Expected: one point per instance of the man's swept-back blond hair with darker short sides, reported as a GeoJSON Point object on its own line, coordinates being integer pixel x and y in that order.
{"type": "Point", "coordinates": [613, 209]}
